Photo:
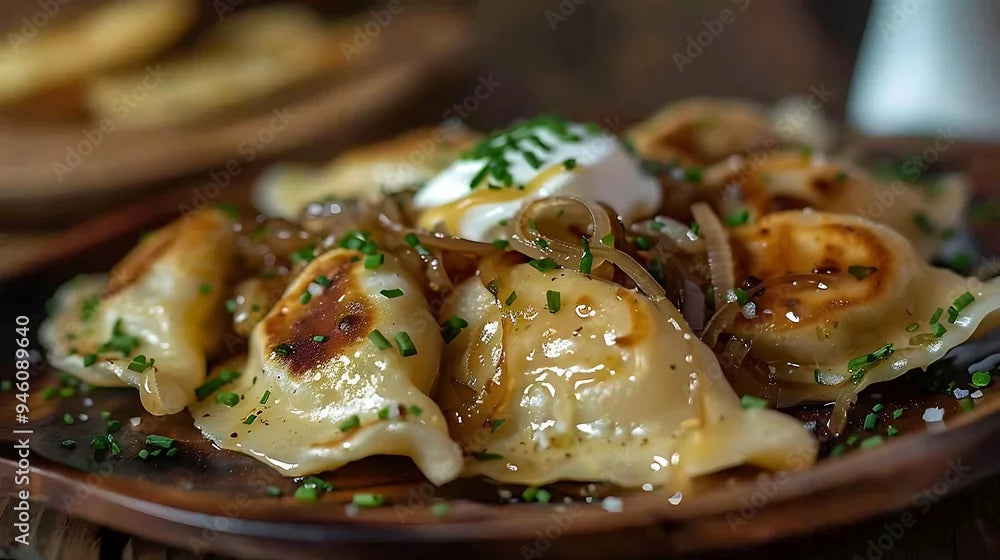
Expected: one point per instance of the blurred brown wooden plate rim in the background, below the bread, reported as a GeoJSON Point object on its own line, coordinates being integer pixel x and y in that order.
{"type": "Point", "coordinates": [46, 165]}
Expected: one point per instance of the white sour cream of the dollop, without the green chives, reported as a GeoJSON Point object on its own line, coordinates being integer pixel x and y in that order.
{"type": "Point", "coordinates": [604, 172]}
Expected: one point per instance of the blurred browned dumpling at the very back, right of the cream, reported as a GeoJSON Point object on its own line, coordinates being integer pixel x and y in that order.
{"type": "Point", "coordinates": [703, 131]}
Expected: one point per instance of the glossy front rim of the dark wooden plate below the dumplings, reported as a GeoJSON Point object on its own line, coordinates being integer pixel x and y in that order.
{"type": "Point", "coordinates": [905, 466]}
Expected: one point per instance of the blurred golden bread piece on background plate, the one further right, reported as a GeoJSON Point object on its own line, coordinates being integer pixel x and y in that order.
{"type": "Point", "coordinates": [246, 58]}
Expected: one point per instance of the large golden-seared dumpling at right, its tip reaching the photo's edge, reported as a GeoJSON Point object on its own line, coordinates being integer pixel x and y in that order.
{"type": "Point", "coordinates": [871, 310]}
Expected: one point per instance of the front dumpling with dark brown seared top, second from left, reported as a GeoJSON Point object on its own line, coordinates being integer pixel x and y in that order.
{"type": "Point", "coordinates": [339, 370]}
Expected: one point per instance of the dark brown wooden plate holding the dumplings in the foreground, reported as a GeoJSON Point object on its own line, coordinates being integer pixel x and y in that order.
{"type": "Point", "coordinates": [209, 500]}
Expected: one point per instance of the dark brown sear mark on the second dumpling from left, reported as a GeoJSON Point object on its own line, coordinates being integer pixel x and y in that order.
{"type": "Point", "coordinates": [341, 314]}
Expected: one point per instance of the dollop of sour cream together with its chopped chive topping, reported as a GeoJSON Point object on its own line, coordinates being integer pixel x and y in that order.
{"type": "Point", "coordinates": [547, 156]}
